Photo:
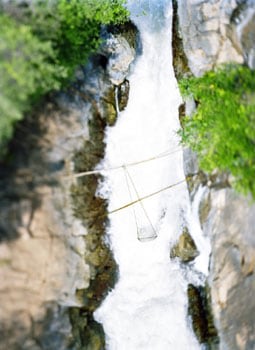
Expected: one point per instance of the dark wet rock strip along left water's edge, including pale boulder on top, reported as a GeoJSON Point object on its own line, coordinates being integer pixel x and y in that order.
{"type": "Point", "coordinates": [103, 99]}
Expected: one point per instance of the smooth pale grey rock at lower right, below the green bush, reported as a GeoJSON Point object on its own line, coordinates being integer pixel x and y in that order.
{"type": "Point", "coordinates": [231, 226]}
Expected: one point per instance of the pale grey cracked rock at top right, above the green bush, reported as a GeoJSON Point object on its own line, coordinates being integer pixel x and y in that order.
{"type": "Point", "coordinates": [214, 32]}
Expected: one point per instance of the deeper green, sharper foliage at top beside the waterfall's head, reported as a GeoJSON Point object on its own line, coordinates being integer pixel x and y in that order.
{"type": "Point", "coordinates": [73, 26]}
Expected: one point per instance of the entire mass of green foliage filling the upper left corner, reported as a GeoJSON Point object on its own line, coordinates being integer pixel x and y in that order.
{"type": "Point", "coordinates": [41, 44]}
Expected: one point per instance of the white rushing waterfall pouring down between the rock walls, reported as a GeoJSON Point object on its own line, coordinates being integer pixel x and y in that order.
{"type": "Point", "coordinates": [147, 310]}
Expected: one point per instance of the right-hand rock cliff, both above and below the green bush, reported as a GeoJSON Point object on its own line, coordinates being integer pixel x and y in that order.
{"type": "Point", "coordinates": [211, 33]}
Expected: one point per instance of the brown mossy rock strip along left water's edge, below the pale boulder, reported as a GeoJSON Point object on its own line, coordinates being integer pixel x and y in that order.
{"type": "Point", "coordinates": [91, 210]}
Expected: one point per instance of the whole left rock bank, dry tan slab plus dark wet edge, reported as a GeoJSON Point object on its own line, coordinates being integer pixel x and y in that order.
{"type": "Point", "coordinates": [55, 267]}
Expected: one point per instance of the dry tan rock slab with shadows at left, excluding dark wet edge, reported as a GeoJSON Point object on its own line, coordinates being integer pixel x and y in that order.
{"type": "Point", "coordinates": [42, 246]}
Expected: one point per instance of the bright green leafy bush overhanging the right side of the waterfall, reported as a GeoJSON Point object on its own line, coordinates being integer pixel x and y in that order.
{"type": "Point", "coordinates": [222, 129]}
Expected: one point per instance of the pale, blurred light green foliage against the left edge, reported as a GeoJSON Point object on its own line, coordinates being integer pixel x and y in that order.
{"type": "Point", "coordinates": [25, 70]}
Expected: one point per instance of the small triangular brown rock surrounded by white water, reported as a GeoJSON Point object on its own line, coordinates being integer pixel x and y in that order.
{"type": "Point", "coordinates": [185, 248]}
